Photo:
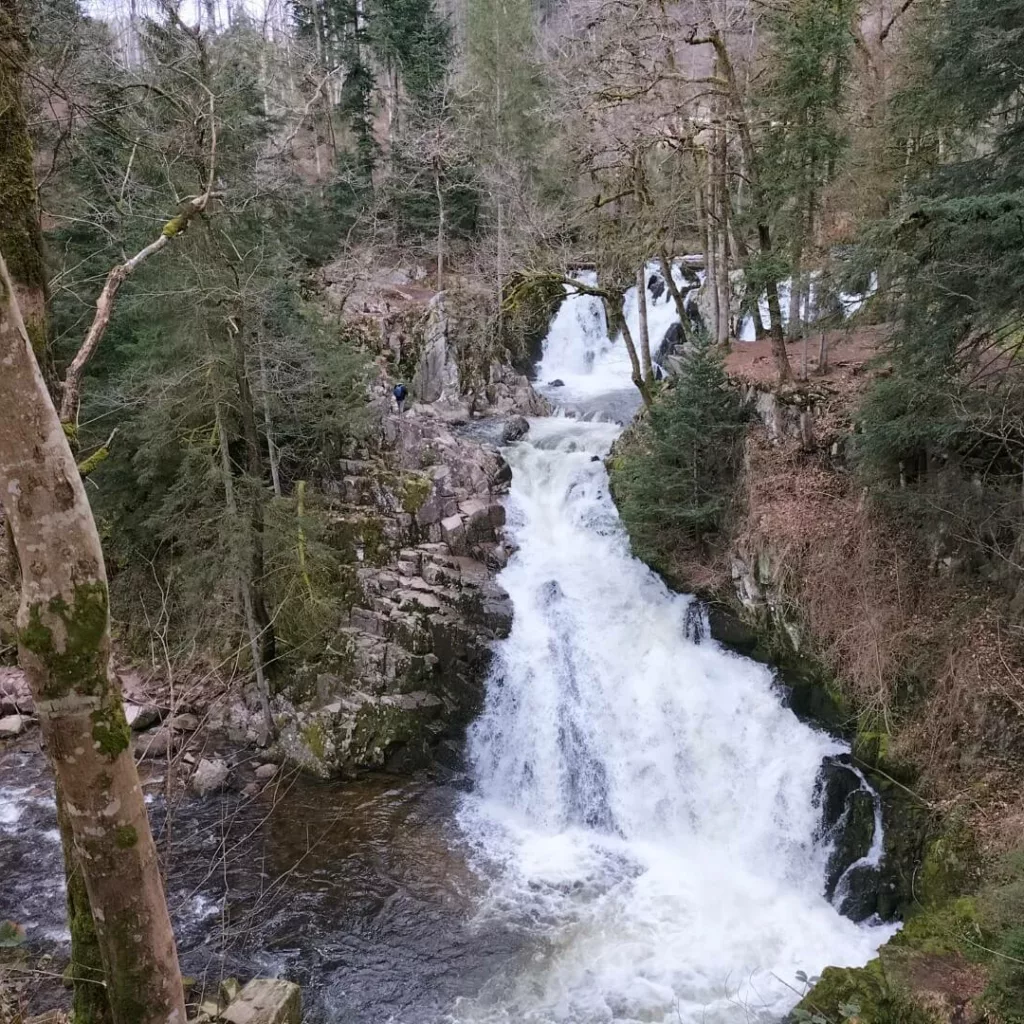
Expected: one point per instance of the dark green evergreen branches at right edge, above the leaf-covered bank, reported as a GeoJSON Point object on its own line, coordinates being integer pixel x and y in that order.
{"type": "Point", "coordinates": [943, 434]}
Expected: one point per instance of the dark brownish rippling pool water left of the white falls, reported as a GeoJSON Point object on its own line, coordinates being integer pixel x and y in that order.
{"type": "Point", "coordinates": [360, 891]}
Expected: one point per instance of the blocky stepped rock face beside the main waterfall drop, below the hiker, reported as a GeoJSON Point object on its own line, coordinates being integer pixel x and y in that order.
{"type": "Point", "coordinates": [416, 643]}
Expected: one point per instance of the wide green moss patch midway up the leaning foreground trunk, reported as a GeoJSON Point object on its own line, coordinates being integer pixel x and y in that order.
{"type": "Point", "coordinates": [74, 654]}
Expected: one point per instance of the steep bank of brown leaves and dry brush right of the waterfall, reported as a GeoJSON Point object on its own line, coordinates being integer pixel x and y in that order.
{"type": "Point", "coordinates": [884, 636]}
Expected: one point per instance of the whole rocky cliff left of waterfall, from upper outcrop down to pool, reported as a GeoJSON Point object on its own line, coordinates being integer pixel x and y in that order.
{"type": "Point", "coordinates": [416, 522]}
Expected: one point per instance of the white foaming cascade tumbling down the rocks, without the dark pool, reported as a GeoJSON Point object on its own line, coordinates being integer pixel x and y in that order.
{"type": "Point", "coordinates": [645, 805]}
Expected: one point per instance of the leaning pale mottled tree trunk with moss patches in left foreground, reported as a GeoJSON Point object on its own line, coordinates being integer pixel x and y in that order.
{"type": "Point", "coordinates": [65, 649]}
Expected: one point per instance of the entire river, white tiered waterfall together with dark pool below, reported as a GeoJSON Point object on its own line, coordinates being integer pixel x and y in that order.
{"type": "Point", "coordinates": [636, 837]}
